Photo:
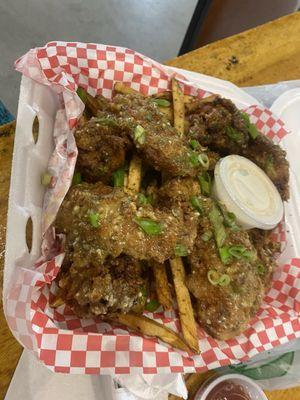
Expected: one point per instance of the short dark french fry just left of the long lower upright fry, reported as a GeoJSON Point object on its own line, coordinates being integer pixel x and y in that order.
{"type": "Point", "coordinates": [162, 285]}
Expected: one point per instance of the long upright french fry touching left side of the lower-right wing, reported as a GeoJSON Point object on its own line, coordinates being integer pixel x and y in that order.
{"type": "Point", "coordinates": [186, 312]}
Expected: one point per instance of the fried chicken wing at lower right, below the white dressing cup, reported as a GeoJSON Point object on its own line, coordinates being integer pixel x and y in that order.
{"type": "Point", "coordinates": [224, 307]}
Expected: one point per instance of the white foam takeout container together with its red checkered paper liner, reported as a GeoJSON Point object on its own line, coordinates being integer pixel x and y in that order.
{"type": "Point", "coordinates": [63, 342]}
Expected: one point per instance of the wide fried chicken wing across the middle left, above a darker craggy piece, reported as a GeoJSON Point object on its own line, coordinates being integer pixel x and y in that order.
{"type": "Point", "coordinates": [100, 221]}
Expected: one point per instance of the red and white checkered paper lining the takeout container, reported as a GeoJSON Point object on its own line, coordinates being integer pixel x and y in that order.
{"type": "Point", "coordinates": [62, 341]}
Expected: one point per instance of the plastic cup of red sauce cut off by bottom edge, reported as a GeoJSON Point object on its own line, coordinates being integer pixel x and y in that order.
{"type": "Point", "coordinates": [210, 388]}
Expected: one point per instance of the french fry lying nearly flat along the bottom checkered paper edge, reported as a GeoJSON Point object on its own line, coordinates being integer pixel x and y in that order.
{"type": "Point", "coordinates": [149, 327]}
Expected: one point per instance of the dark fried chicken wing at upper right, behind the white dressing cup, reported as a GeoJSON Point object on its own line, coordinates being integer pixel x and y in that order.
{"type": "Point", "coordinates": [221, 126]}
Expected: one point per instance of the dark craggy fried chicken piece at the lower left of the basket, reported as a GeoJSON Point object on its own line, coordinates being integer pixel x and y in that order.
{"type": "Point", "coordinates": [116, 285]}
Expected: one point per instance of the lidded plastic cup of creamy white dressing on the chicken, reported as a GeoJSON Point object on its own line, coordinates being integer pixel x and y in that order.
{"type": "Point", "coordinates": [248, 192]}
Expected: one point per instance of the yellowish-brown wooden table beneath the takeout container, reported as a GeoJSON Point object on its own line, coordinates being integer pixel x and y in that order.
{"type": "Point", "coordinates": [265, 54]}
